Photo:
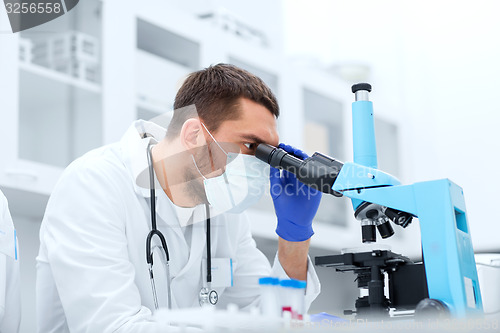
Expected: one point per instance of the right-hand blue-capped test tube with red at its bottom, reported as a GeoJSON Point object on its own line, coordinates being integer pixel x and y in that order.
{"type": "Point", "coordinates": [292, 297]}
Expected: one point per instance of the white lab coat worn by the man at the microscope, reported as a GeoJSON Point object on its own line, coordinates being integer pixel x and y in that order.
{"type": "Point", "coordinates": [92, 274]}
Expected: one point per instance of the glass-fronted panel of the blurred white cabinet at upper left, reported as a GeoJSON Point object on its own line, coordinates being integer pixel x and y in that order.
{"type": "Point", "coordinates": [60, 95]}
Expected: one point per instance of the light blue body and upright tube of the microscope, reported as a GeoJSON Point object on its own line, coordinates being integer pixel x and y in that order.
{"type": "Point", "coordinates": [448, 255]}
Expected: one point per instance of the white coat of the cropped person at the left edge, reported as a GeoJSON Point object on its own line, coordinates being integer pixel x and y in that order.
{"type": "Point", "coordinates": [10, 291]}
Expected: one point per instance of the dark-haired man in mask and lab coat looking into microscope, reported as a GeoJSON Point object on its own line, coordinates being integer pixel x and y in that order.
{"type": "Point", "coordinates": [92, 270]}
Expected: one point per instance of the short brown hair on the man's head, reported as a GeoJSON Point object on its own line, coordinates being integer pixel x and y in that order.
{"type": "Point", "coordinates": [215, 91]}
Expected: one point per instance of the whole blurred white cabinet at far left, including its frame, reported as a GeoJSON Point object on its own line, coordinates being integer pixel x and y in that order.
{"type": "Point", "coordinates": [51, 104]}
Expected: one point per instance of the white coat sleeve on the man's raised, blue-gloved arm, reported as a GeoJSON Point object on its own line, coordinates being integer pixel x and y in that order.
{"type": "Point", "coordinates": [251, 264]}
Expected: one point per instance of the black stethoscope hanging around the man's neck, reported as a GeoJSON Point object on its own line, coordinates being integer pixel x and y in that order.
{"type": "Point", "coordinates": [207, 295]}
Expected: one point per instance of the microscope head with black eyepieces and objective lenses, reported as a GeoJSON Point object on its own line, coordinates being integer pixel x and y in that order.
{"type": "Point", "coordinates": [331, 176]}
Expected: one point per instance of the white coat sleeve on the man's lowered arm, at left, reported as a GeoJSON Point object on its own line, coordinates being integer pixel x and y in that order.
{"type": "Point", "coordinates": [85, 238]}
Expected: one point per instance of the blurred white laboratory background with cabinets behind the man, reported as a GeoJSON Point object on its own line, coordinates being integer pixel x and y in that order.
{"type": "Point", "coordinates": [78, 82]}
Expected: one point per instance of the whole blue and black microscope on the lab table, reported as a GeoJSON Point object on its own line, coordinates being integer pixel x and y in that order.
{"type": "Point", "coordinates": [446, 282]}
